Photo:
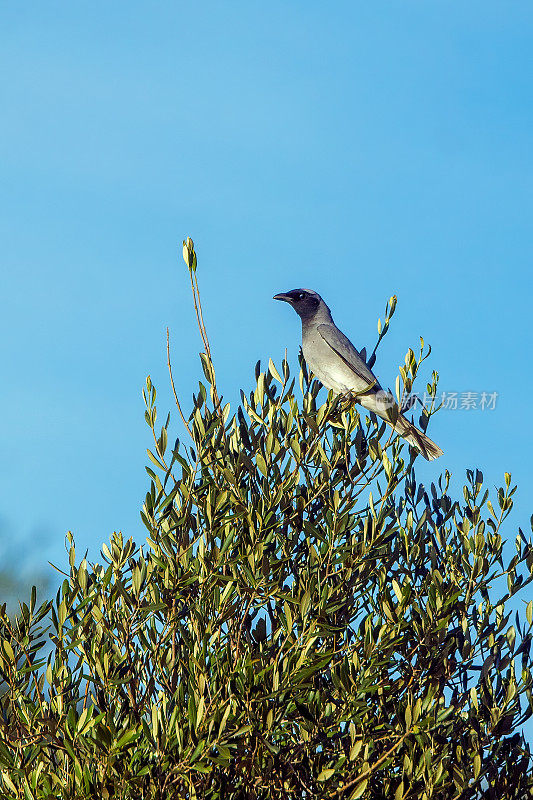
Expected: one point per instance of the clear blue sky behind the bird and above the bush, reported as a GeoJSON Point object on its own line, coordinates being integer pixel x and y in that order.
{"type": "Point", "coordinates": [357, 148]}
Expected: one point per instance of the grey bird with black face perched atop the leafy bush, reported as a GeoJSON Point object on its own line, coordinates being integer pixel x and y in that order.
{"type": "Point", "coordinates": [339, 366]}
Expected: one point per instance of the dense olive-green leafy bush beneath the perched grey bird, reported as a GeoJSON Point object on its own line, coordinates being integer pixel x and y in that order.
{"type": "Point", "coordinates": [306, 620]}
